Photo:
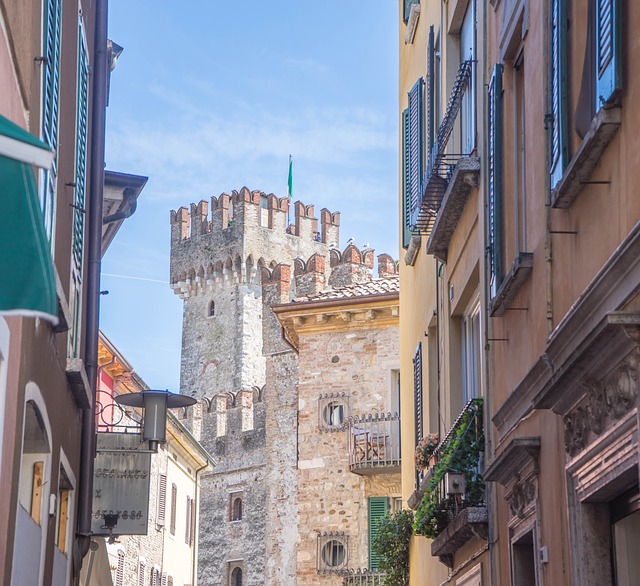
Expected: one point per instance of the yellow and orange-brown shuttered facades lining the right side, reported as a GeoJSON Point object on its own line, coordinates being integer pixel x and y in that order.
{"type": "Point", "coordinates": [519, 289]}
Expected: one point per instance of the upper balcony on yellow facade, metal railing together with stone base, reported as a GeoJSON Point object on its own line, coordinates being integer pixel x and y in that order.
{"type": "Point", "coordinates": [441, 179]}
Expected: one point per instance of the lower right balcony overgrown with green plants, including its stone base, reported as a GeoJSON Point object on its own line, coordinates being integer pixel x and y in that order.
{"type": "Point", "coordinates": [451, 507]}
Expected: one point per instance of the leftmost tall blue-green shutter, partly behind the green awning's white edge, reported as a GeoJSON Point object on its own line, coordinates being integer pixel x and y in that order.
{"type": "Point", "coordinates": [52, 31]}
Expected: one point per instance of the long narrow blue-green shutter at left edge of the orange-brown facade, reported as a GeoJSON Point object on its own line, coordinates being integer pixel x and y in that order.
{"type": "Point", "coordinates": [494, 162]}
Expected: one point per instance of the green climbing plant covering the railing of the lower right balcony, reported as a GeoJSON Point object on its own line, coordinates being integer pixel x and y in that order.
{"type": "Point", "coordinates": [461, 453]}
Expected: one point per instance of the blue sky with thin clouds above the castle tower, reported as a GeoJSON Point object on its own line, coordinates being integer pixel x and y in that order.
{"type": "Point", "coordinates": [209, 96]}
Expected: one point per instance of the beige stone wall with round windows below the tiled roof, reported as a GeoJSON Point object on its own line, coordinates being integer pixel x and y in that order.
{"type": "Point", "coordinates": [330, 497]}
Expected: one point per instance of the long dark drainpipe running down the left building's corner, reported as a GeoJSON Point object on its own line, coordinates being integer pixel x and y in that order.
{"type": "Point", "coordinates": [94, 254]}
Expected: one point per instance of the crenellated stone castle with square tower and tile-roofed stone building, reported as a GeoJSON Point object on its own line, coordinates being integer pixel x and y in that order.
{"type": "Point", "coordinates": [283, 411]}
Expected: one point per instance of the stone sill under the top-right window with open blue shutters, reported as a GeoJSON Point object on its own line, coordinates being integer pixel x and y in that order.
{"type": "Point", "coordinates": [578, 172]}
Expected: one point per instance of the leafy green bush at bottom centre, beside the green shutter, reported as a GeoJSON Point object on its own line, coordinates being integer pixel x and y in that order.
{"type": "Point", "coordinates": [392, 545]}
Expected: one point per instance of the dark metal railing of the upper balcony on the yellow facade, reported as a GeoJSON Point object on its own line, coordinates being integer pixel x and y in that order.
{"type": "Point", "coordinates": [441, 164]}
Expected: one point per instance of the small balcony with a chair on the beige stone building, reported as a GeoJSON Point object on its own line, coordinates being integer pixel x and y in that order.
{"type": "Point", "coordinates": [374, 443]}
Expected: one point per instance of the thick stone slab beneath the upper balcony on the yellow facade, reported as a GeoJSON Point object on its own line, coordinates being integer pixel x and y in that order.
{"type": "Point", "coordinates": [465, 178]}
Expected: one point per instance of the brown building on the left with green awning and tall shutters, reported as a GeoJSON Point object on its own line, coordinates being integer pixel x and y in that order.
{"type": "Point", "coordinates": [54, 65]}
